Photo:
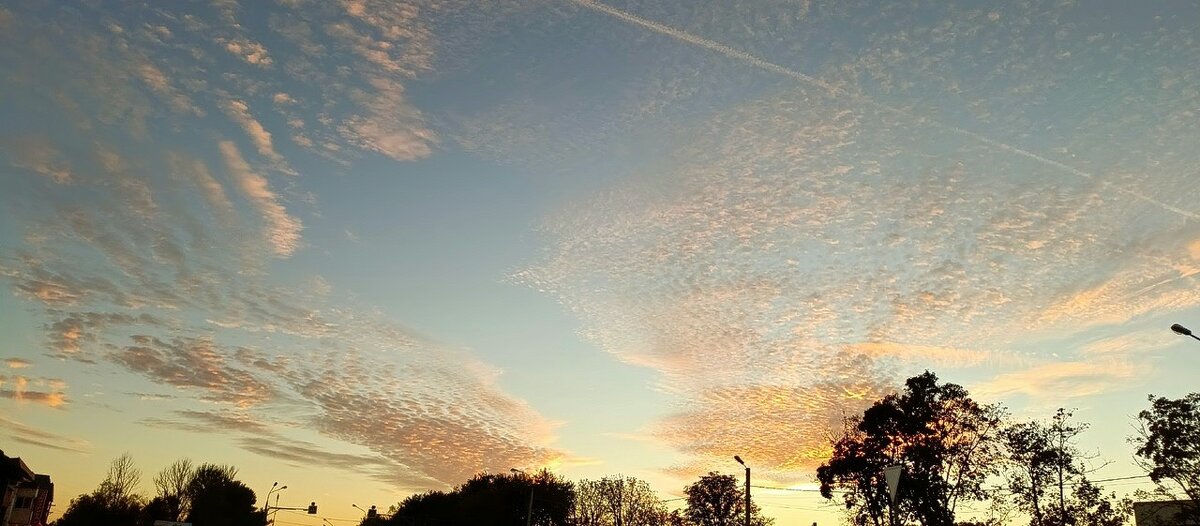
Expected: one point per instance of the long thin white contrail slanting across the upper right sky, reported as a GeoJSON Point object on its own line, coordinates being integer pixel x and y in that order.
{"type": "Point", "coordinates": [737, 55]}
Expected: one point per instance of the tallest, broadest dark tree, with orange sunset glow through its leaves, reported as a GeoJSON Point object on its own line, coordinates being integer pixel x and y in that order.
{"type": "Point", "coordinates": [947, 444]}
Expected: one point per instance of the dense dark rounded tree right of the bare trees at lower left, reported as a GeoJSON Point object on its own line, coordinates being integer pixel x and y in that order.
{"type": "Point", "coordinates": [218, 499]}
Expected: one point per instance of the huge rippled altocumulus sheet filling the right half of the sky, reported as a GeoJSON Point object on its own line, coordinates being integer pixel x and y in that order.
{"type": "Point", "coordinates": [799, 254]}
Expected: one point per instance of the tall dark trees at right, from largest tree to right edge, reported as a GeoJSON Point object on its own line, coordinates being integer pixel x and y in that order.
{"type": "Point", "coordinates": [955, 452]}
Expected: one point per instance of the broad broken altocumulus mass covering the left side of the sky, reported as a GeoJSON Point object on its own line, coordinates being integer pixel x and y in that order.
{"type": "Point", "coordinates": [160, 264]}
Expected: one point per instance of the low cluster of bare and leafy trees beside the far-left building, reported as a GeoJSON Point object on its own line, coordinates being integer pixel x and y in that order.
{"type": "Point", "coordinates": [205, 495]}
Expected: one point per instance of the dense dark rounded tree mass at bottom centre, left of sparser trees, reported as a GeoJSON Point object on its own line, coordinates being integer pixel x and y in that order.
{"type": "Point", "coordinates": [493, 500]}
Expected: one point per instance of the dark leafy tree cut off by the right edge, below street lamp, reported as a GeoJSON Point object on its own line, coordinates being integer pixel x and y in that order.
{"type": "Point", "coordinates": [1169, 449]}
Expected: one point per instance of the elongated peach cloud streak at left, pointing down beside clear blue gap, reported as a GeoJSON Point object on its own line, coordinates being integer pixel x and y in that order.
{"type": "Point", "coordinates": [283, 230]}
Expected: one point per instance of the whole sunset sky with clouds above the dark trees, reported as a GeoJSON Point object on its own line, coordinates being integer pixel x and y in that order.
{"type": "Point", "coordinates": [373, 248]}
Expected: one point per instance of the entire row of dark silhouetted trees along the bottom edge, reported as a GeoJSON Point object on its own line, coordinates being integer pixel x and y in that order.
{"type": "Point", "coordinates": [951, 451]}
